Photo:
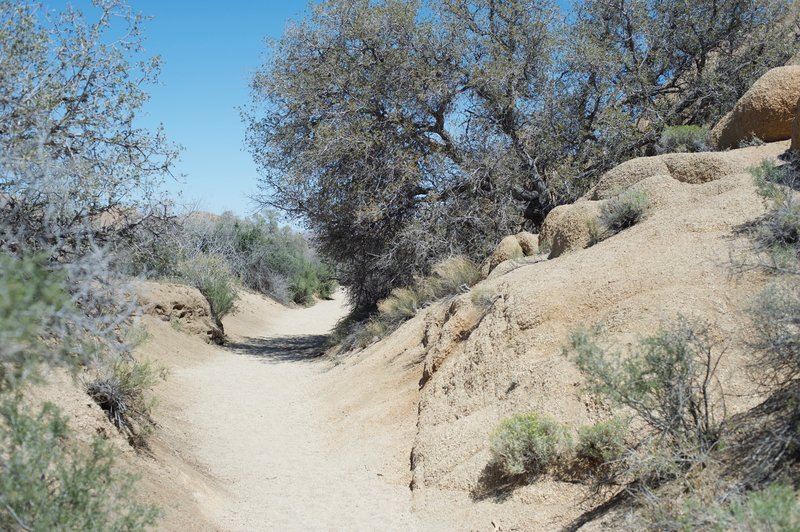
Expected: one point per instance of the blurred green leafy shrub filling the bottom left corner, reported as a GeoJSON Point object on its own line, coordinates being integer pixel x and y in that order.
{"type": "Point", "coordinates": [49, 482]}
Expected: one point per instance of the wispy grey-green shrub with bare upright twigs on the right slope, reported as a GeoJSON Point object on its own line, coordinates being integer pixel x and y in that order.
{"type": "Point", "coordinates": [667, 380]}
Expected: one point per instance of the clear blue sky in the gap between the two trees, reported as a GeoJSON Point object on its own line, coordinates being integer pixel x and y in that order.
{"type": "Point", "coordinates": [210, 50]}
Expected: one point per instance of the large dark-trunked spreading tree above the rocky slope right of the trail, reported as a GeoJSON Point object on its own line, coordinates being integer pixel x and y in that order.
{"type": "Point", "coordinates": [402, 131]}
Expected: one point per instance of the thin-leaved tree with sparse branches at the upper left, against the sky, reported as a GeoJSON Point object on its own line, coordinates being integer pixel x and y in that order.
{"type": "Point", "coordinates": [73, 160]}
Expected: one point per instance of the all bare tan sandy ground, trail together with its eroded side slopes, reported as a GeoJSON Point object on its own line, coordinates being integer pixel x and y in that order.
{"type": "Point", "coordinates": [264, 433]}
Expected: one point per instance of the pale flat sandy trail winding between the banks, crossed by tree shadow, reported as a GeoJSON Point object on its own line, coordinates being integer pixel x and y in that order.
{"type": "Point", "coordinates": [259, 422]}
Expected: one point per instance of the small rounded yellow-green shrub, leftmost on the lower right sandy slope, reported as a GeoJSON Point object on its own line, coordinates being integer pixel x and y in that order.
{"type": "Point", "coordinates": [527, 444]}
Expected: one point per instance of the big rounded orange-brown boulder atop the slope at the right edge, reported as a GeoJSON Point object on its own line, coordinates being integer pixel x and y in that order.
{"type": "Point", "coordinates": [765, 111]}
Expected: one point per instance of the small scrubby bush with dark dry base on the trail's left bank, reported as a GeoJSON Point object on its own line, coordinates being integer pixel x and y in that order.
{"type": "Point", "coordinates": [123, 392]}
